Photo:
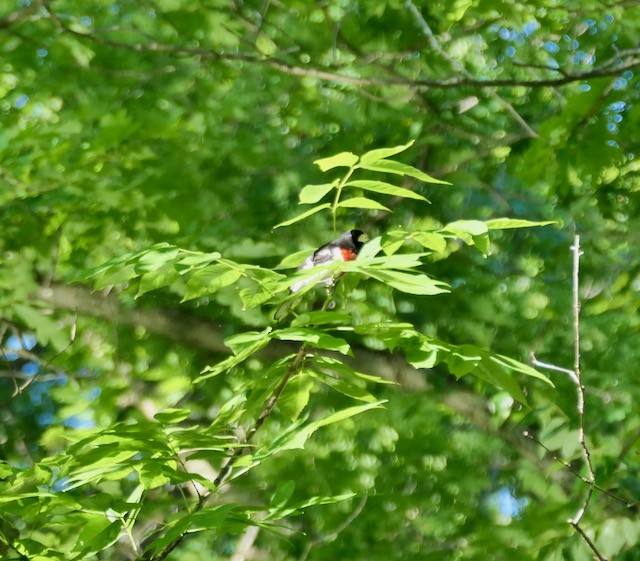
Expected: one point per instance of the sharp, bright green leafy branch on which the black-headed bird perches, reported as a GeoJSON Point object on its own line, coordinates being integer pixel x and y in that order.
{"type": "Point", "coordinates": [153, 450]}
